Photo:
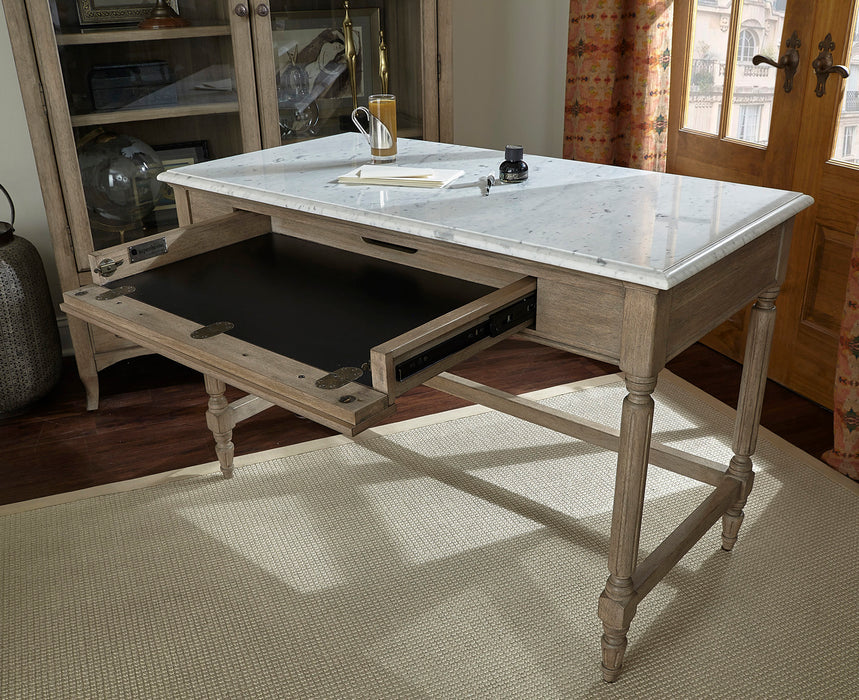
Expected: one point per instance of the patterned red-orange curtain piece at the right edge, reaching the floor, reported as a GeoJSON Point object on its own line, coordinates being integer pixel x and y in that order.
{"type": "Point", "coordinates": [844, 456]}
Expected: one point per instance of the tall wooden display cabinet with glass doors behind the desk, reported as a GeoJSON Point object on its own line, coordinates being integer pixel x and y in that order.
{"type": "Point", "coordinates": [116, 91]}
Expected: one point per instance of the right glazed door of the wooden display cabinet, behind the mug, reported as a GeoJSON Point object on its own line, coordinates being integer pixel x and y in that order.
{"type": "Point", "coordinates": [307, 84]}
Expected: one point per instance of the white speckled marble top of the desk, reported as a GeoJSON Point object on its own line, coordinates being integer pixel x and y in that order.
{"type": "Point", "coordinates": [637, 226]}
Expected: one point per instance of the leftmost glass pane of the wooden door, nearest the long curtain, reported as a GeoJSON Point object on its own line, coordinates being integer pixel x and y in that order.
{"type": "Point", "coordinates": [707, 75]}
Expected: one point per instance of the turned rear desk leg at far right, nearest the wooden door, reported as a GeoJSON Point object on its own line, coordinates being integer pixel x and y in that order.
{"type": "Point", "coordinates": [749, 404]}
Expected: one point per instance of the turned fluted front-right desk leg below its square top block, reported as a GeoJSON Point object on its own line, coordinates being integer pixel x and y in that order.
{"type": "Point", "coordinates": [616, 608]}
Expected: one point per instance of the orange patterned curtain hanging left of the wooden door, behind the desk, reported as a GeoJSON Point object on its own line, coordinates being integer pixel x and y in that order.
{"type": "Point", "coordinates": [618, 70]}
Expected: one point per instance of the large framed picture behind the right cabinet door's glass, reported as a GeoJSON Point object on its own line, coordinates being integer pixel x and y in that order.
{"type": "Point", "coordinates": [313, 42]}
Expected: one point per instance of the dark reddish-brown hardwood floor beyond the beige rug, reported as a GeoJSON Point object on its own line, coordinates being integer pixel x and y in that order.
{"type": "Point", "coordinates": [151, 416]}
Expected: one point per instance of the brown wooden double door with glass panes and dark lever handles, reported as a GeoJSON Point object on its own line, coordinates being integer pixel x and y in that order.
{"type": "Point", "coordinates": [734, 119]}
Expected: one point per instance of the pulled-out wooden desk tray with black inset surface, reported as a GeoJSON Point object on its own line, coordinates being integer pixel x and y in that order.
{"type": "Point", "coordinates": [330, 334]}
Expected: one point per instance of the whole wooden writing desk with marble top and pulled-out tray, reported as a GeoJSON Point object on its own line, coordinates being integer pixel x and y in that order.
{"type": "Point", "coordinates": [619, 265]}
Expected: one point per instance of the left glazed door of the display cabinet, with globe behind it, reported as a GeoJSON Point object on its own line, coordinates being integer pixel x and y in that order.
{"type": "Point", "coordinates": [131, 98]}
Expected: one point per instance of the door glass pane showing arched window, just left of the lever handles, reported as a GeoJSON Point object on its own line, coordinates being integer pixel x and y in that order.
{"type": "Point", "coordinates": [760, 31]}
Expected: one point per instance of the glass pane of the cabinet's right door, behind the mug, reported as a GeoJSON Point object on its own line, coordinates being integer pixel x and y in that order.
{"type": "Point", "coordinates": [317, 86]}
